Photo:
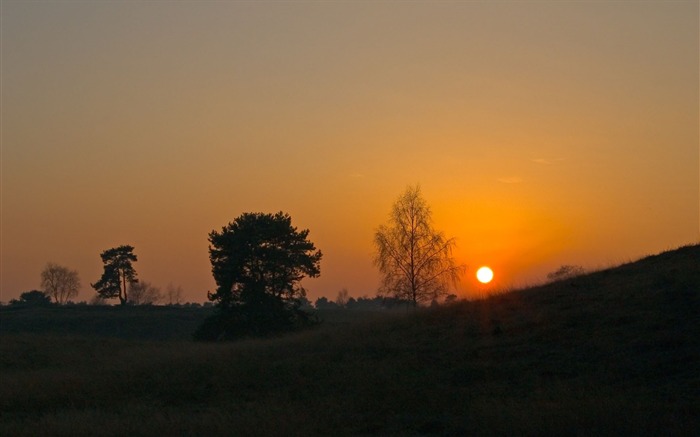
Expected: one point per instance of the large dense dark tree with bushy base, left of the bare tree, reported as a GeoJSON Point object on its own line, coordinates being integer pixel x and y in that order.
{"type": "Point", "coordinates": [258, 261]}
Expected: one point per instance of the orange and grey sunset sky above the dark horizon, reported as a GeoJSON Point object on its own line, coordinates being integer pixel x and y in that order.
{"type": "Point", "coordinates": [541, 133]}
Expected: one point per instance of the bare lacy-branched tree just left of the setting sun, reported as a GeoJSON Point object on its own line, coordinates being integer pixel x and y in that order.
{"type": "Point", "coordinates": [415, 259]}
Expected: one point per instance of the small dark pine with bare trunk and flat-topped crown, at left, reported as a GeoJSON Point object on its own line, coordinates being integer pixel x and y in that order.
{"type": "Point", "coordinates": [118, 273]}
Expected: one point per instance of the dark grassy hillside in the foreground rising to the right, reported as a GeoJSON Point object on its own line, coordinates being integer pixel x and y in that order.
{"type": "Point", "coordinates": [616, 352]}
